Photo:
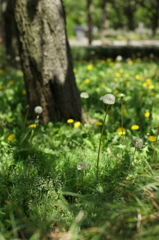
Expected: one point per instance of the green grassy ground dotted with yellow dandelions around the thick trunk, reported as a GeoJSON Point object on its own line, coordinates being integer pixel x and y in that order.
{"type": "Point", "coordinates": [92, 180]}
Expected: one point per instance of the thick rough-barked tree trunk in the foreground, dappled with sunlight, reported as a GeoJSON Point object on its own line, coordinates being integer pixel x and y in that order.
{"type": "Point", "coordinates": [46, 60]}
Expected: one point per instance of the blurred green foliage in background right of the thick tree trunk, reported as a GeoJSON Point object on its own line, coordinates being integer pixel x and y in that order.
{"type": "Point", "coordinates": [120, 14]}
